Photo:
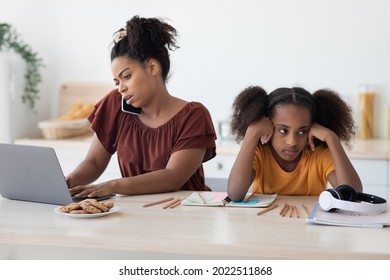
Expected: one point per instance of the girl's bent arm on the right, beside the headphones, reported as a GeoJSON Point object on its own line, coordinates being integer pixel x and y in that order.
{"type": "Point", "coordinates": [344, 172]}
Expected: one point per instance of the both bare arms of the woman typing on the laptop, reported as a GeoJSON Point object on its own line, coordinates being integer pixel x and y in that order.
{"type": "Point", "coordinates": [181, 166]}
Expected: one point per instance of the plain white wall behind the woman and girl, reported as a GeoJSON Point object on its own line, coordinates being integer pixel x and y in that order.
{"type": "Point", "coordinates": [225, 45]}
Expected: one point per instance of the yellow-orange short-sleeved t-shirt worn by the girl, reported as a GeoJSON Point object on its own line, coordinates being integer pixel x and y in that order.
{"type": "Point", "coordinates": [308, 178]}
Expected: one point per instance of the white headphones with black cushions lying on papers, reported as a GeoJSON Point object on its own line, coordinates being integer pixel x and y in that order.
{"type": "Point", "coordinates": [345, 197]}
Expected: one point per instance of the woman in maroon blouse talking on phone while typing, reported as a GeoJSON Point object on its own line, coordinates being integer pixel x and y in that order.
{"type": "Point", "coordinates": [161, 147]}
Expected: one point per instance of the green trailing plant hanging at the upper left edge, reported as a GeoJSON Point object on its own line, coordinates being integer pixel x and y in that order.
{"type": "Point", "coordinates": [10, 40]}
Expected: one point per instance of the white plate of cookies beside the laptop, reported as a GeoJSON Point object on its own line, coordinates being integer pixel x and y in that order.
{"type": "Point", "coordinates": [87, 208]}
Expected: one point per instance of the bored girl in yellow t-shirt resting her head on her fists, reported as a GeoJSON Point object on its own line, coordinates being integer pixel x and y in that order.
{"type": "Point", "coordinates": [291, 142]}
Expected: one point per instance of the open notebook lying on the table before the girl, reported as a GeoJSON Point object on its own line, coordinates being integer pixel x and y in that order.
{"type": "Point", "coordinates": [221, 199]}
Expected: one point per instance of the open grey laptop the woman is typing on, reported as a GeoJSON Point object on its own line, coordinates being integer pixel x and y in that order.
{"type": "Point", "coordinates": [34, 174]}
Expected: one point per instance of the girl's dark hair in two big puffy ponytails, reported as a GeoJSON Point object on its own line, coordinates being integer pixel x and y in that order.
{"type": "Point", "coordinates": [326, 107]}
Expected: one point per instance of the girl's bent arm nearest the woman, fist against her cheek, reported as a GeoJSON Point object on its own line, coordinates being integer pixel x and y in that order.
{"type": "Point", "coordinates": [242, 174]}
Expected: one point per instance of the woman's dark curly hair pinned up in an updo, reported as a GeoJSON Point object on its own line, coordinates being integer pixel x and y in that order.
{"type": "Point", "coordinates": [147, 38]}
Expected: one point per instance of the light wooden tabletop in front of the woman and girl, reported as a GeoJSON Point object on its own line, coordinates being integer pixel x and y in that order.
{"type": "Point", "coordinates": [35, 231]}
